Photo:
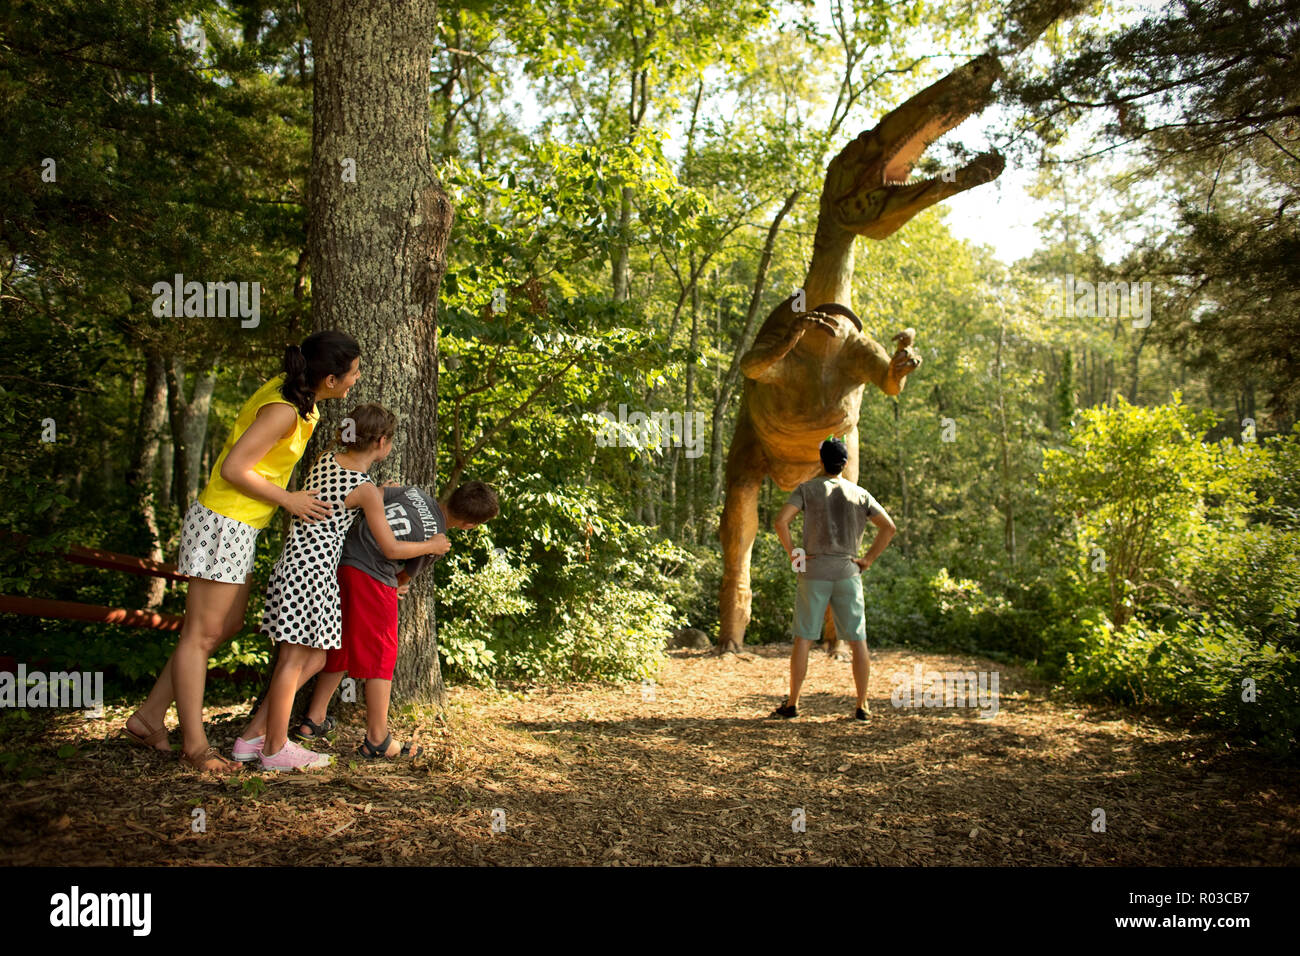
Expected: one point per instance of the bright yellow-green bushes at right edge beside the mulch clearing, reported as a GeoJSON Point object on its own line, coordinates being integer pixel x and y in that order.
{"type": "Point", "coordinates": [1225, 607]}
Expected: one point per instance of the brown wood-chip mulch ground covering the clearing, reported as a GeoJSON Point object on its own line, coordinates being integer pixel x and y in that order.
{"type": "Point", "coordinates": [600, 775]}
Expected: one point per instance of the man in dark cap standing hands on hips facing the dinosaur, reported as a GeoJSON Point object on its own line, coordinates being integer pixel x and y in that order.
{"type": "Point", "coordinates": [837, 514]}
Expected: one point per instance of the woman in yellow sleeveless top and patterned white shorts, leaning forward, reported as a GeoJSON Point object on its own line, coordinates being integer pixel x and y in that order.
{"type": "Point", "coordinates": [220, 534]}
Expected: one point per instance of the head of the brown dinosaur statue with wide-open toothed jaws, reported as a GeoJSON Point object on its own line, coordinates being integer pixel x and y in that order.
{"type": "Point", "coordinates": [868, 187]}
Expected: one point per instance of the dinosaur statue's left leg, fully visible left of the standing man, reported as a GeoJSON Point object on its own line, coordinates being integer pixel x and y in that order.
{"type": "Point", "coordinates": [747, 466]}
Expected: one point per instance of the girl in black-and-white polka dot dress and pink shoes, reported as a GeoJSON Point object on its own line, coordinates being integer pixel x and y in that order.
{"type": "Point", "coordinates": [302, 609]}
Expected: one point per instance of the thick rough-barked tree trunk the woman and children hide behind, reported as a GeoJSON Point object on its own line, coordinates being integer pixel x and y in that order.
{"type": "Point", "coordinates": [376, 250]}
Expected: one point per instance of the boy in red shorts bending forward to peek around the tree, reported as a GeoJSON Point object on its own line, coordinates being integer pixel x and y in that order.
{"type": "Point", "coordinates": [370, 589]}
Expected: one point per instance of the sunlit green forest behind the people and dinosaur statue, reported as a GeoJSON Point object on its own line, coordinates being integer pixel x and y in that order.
{"type": "Point", "coordinates": [1111, 500]}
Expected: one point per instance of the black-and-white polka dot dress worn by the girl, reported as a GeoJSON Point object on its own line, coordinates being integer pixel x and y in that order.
{"type": "Point", "coordinates": [302, 596]}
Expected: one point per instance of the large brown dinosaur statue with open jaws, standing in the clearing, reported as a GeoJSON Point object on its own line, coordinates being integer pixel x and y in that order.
{"type": "Point", "coordinates": [807, 371]}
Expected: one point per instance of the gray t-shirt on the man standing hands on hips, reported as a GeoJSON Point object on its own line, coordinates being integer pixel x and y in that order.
{"type": "Point", "coordinates": [835, 517]}
